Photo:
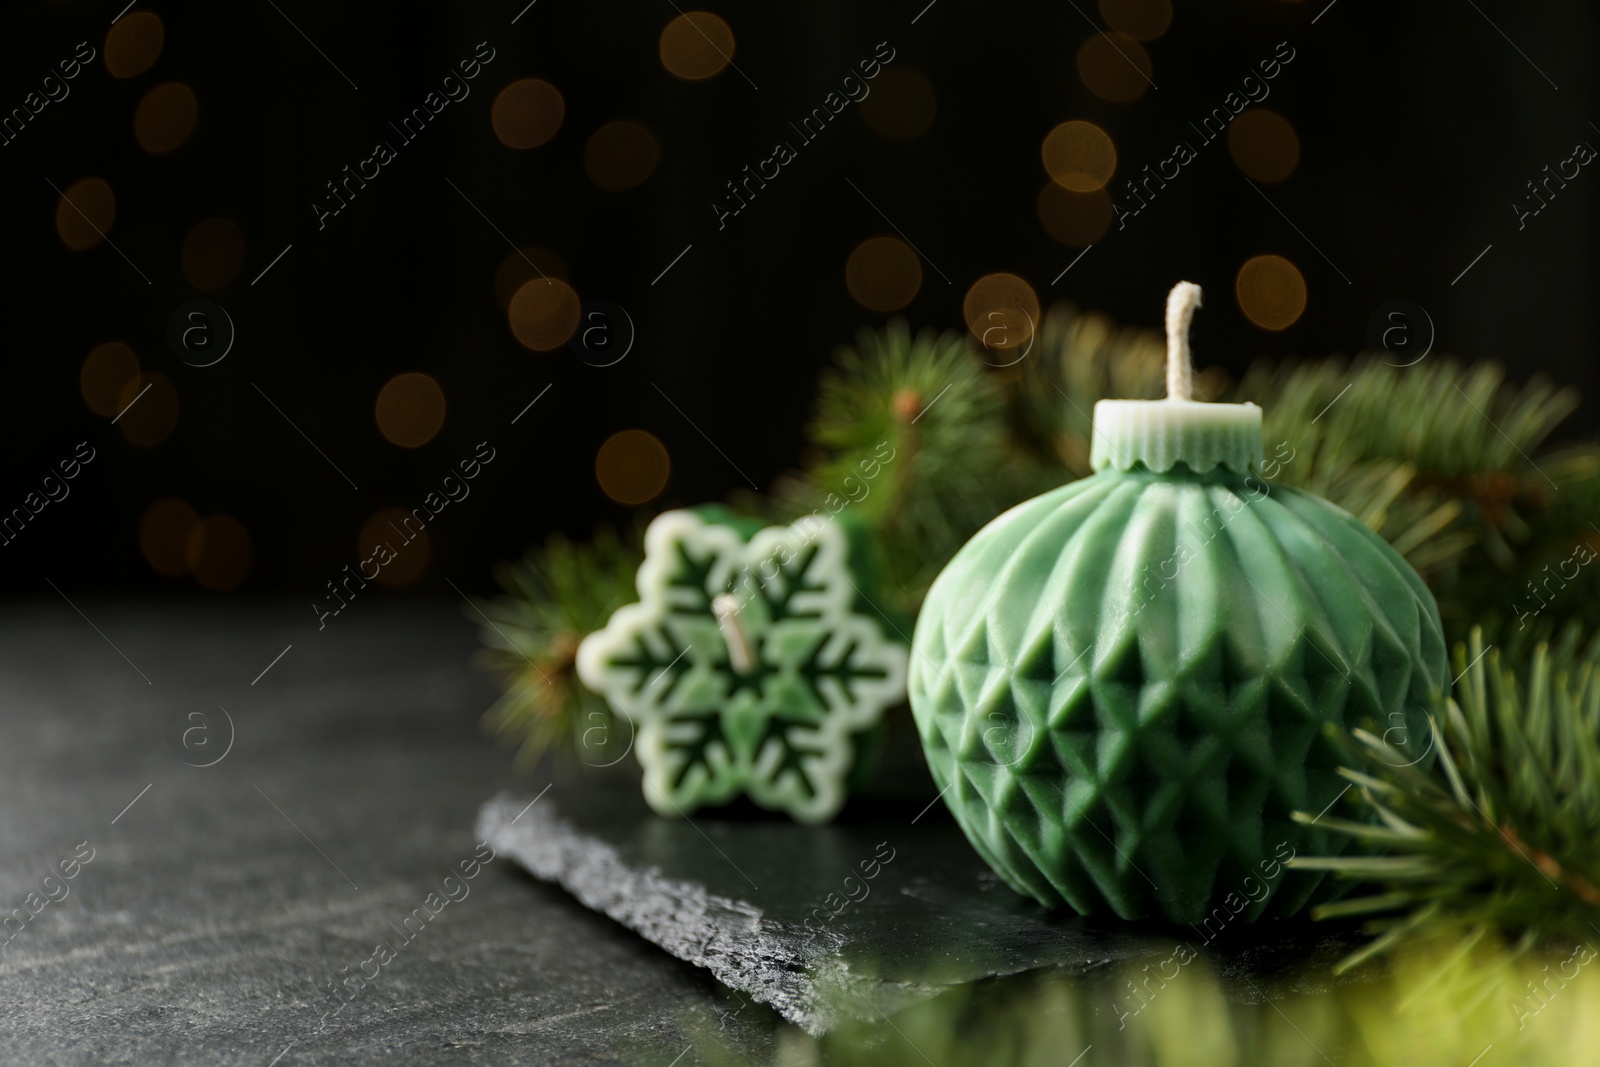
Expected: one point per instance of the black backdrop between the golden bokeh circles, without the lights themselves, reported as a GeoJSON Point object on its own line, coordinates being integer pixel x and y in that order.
{"type": "Point", "coordinates": [1418, 127]}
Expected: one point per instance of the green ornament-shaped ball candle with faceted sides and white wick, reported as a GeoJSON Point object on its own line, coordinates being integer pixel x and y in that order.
{"type": "Point", "coordinates": [1122, 685]}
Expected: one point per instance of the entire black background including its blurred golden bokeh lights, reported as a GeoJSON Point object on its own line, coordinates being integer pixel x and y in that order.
{"type": "Point", "coordinates": [551, 225]}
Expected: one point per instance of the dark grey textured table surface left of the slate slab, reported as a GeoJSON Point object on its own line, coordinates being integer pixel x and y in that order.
{"type": "Point", "coordinates": [223, 903]}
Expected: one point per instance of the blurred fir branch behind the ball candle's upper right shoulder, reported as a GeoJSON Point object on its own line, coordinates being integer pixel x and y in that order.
{"type": "Point", "coordinates": [1444, 462]}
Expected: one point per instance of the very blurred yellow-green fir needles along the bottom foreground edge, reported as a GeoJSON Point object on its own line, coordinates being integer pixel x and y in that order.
{"type": "Point", "coordinates": [1438, 1004]}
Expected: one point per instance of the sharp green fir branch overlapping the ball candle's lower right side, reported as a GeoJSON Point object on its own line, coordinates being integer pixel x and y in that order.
{"type": "Point", "coordinates": [1500, 836]}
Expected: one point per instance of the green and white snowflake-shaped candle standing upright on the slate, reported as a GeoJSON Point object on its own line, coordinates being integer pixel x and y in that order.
{"type": "Point", "coordinates": [750, 665]}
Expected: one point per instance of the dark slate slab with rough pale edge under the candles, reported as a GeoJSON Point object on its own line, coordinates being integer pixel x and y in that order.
{"type": "Point", "coordinates": [748, 898]}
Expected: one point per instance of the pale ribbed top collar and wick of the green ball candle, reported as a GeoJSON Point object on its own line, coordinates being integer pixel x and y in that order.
{"type": "Point", "coordinates": [1162, 434]}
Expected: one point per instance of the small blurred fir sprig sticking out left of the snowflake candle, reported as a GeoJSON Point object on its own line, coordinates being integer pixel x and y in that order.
{"type": "Point", "coordinates": [554, 597]}
